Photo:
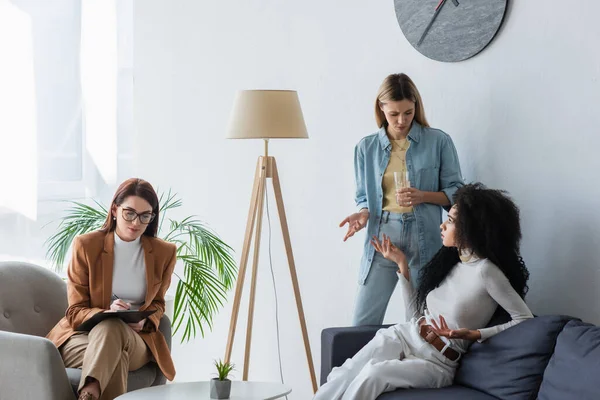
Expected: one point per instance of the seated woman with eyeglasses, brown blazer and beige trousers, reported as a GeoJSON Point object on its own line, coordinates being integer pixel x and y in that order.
{"type": "Point", "coordinates": [122, 266]}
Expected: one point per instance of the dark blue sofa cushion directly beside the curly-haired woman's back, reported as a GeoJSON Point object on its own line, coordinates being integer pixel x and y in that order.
{"type": "Point", "coordinates": [511, 364]}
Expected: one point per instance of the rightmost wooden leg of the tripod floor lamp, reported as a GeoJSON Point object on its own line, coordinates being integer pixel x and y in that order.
{"type": "Point", "coordinates": [292, 265]}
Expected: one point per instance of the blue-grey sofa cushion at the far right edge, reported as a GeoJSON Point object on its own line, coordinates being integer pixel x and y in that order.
{"type": "Point", "coordinates": [574, 370]}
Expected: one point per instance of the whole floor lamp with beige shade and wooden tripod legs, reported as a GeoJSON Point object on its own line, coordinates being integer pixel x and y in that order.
{"type": "Point", "coordinates": [265, 114]}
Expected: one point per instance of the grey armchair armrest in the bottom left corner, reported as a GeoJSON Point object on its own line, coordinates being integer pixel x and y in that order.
{"type": "Point", "coordinates": [31, 368]}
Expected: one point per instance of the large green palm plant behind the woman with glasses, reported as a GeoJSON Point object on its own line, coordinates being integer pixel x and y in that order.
{"type": "Point", "coordinates": [209, 269]}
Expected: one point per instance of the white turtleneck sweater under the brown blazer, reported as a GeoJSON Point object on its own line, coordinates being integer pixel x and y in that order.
{"type": "Point", "coordinates": [129, 272]}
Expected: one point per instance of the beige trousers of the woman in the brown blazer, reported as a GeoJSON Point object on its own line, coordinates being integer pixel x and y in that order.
{"type": "Point", "coordinates": [107, 353]}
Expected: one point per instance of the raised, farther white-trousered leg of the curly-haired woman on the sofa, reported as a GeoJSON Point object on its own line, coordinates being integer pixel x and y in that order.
{"type": "Point", "coordinates": [386, 345]}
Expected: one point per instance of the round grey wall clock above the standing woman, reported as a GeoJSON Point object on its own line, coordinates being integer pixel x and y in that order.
{"type": "Point", "coordinates": [450, 30]}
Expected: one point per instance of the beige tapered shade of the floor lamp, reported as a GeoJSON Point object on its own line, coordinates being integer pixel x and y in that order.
{"type": "Point", "coordinates": [267, 114]}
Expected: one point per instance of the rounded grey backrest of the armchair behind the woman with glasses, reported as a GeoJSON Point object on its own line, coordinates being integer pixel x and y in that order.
{"type": "Point", "coordinates": [32, 299]}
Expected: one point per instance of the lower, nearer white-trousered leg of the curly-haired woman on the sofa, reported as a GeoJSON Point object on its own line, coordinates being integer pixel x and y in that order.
{"type": "Point", "coordinates": [384, 376]}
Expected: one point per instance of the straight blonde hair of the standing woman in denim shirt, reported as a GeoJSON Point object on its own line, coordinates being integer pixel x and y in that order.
{"type": "Point", "coordinates": [398, 87]}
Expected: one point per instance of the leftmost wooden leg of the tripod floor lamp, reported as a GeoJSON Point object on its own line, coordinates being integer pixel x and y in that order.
{"type": "Point", "coordinates": [239, 287]}
